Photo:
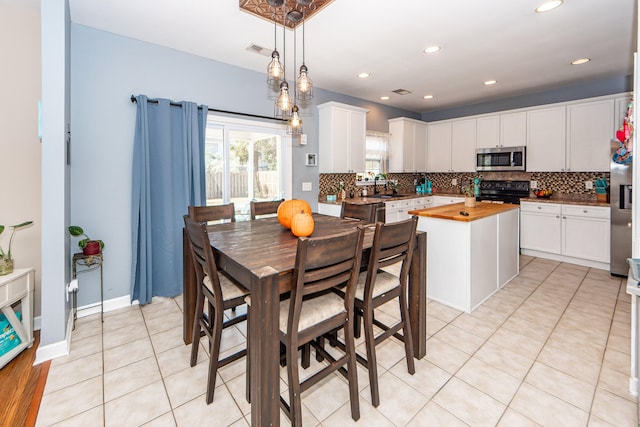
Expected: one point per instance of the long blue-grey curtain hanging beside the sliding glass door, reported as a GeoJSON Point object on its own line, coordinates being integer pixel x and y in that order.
{"type": "Point", "coordinates": [168, 175]}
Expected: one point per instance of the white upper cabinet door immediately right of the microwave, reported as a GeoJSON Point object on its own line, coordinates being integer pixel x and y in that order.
{"type": "Point", "coordinates": [546, 130]}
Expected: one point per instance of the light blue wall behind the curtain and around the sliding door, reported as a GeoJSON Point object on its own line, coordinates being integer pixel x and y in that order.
{"type": "Point", "coordinates": [106, 70]}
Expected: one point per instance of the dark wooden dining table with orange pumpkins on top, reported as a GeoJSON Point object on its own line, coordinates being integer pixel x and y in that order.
{"type": "Point", "coordinates": [260, 255]}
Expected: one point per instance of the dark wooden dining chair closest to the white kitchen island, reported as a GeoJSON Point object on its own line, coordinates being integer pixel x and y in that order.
{"type": "Point", "coordinates": [392, 246]}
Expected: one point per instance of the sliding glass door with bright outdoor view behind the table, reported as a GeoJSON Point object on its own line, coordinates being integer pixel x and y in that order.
{"type": "Point", "coordinates": [246, 160]}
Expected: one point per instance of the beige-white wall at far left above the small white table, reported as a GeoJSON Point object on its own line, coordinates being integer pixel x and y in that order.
{"type": "Point", "coordinates": [19, 144]}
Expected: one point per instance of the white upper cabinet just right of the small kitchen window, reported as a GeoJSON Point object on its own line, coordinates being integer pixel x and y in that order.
{"type": "Point", "coordinates": [408, 145]}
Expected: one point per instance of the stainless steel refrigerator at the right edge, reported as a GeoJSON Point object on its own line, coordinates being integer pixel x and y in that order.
{"type": "Point", "coordinates": [620, 200]}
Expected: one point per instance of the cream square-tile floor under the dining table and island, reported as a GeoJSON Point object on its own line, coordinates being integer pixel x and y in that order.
{"type": "Point", "coordinates": [551, 349]}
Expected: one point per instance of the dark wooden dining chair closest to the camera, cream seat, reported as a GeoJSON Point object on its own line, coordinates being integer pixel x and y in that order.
{"type": "Point", "coordinates": [311, 311]}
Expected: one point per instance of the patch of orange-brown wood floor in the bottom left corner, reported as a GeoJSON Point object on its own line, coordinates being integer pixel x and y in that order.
{"type": "Point", "coordinates": [21, 388]}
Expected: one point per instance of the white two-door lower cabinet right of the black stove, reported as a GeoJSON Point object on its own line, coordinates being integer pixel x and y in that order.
{"type": "Point", "coordinates": [573, 233]}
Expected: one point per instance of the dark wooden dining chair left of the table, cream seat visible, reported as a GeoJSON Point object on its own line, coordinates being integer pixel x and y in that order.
{"type": "Point", "coordinates": [220, 294]}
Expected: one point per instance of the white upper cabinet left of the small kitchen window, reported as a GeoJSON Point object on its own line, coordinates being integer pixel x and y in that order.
{"type": "Point", "coordinates": [341, 134]}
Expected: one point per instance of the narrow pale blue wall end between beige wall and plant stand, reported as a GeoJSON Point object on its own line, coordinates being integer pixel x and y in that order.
{"type": "Point", "coordinates": [55, 308]}
